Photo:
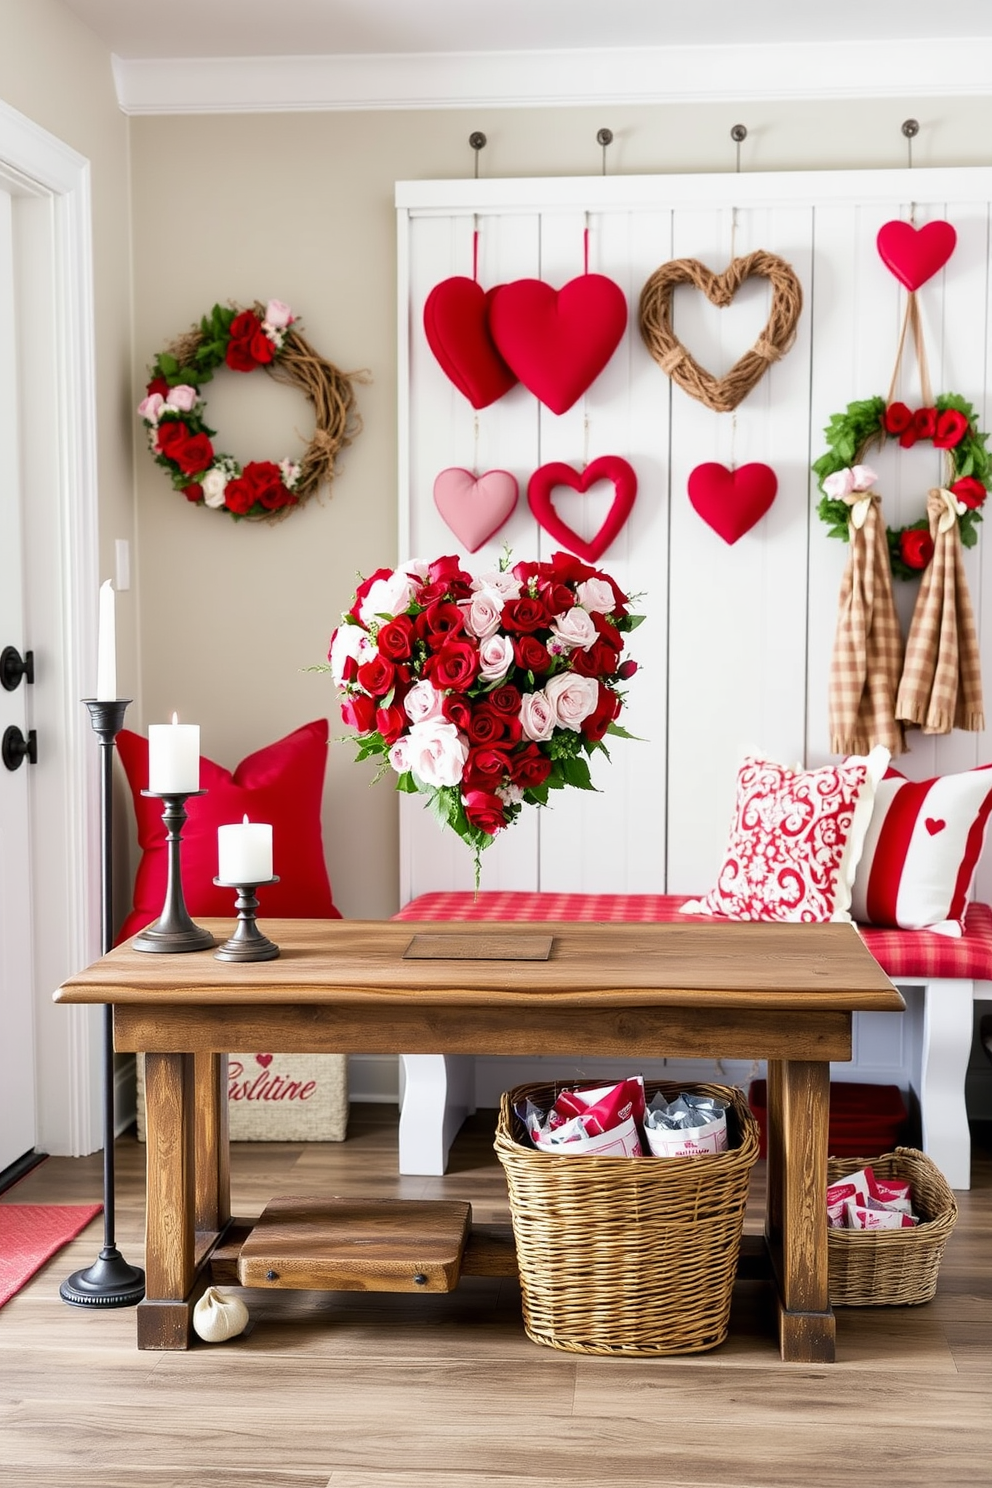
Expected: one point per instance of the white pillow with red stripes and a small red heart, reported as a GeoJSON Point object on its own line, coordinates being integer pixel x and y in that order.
{"type": "Point", "coordinates": [921, 850]}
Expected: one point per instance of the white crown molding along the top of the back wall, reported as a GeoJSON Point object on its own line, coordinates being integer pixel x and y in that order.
{"type": "Point", "coordinates": [902, 69]}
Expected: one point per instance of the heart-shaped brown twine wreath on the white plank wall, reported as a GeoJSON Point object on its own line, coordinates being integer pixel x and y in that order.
{"type": "Point", "coordinates": [722, 395]}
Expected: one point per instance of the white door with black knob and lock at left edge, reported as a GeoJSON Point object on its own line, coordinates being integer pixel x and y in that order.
{"type": "Point", "coordinates": [17, 974]}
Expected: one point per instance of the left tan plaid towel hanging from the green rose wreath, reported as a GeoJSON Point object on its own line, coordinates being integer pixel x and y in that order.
{"type": "Point", "coordinates": [868, 650]}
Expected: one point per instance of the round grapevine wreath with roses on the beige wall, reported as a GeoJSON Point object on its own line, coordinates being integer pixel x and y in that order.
{"type": "Point", "coordinates": [243, 340]}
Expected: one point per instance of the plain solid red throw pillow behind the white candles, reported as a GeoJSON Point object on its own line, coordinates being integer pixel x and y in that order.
{"type": "Point", "coordinates": [283, 785]}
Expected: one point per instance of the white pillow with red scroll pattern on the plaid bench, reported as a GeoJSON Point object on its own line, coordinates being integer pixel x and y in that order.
{"type": "Point", "coordinates": [796, 838]}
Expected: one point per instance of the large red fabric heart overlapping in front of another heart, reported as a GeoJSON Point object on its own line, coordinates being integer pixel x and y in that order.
{"type": "Point", "coordinates": [558, 341]}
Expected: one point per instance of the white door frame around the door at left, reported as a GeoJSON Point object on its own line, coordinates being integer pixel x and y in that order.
{"type": "Point", "coordinates": [60, 587]}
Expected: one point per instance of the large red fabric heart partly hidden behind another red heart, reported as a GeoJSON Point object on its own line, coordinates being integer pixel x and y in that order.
{"type": "Point", "coordinates": [456, 324]}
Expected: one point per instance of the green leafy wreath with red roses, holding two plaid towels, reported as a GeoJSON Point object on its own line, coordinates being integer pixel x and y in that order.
{"type": "Point", "coordinates": [950, 425]}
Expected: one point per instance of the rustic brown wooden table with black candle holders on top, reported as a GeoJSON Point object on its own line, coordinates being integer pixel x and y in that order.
{"type": "Point", "coordinates": [767, 992]}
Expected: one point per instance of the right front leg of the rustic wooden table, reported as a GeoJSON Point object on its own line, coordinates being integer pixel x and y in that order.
{"type": "Point", "coordinates": [796, 1227]}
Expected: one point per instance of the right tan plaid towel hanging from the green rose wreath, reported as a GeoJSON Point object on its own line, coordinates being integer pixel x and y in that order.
{"type": "Point", "coordinates": [942, 676]}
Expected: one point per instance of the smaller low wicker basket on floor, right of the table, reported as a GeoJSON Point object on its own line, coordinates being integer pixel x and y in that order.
{"type": "Point", "coordinates": [893, 1267]}
